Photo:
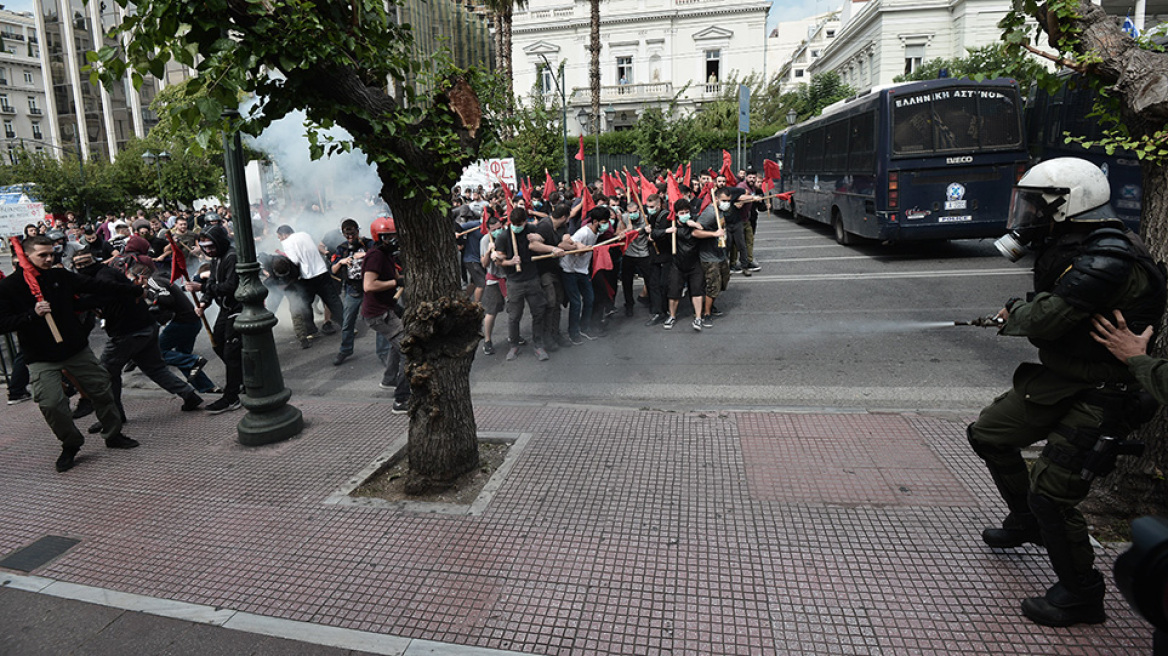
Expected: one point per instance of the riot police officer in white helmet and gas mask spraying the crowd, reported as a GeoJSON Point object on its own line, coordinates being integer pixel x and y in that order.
{"type": "Point", "coordinates": [1086, 262]}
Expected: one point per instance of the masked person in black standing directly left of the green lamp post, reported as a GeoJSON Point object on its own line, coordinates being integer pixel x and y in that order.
{"type": "Point", "coordinates": [219, 288]}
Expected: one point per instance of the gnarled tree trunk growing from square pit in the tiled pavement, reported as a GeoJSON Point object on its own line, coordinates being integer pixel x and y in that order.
{"type": "Point", "coordinates": [442, 333]}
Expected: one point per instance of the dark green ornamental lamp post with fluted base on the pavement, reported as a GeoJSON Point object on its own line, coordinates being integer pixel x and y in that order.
{"type": "Point", "coordinates": [270, 418]}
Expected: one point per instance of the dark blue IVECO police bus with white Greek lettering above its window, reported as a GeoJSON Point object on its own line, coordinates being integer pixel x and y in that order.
{"type": "Point", "coordinates": [921, 160]}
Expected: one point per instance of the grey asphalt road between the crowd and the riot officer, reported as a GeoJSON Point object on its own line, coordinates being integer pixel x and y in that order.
{"type": "Point", "coordinates": [823, 326]}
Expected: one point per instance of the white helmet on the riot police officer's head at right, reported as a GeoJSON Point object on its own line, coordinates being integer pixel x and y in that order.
{"type": "Point", "coordinates": [1063, 190]}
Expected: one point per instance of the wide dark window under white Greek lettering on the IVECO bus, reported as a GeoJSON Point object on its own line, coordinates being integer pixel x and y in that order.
{"type": "Point", "coordinates": [956, 121]}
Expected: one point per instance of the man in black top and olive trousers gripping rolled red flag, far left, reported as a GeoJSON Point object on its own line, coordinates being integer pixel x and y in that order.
{"type": "Point", "coordinates": [50, 360]}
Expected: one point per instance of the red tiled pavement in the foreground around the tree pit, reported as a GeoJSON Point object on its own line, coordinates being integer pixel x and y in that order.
{"type": "Point", "coordinates": [617, 533]}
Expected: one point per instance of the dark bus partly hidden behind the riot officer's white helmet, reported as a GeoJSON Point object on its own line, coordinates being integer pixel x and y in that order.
{"type": "Point", "coordinates": [1051, 118]}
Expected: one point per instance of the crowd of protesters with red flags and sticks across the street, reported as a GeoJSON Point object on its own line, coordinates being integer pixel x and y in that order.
{"type": "Point", "coordinates": [557, 261]}
